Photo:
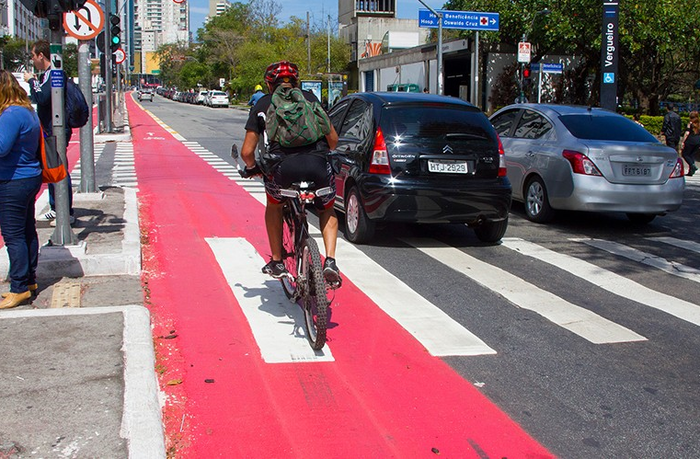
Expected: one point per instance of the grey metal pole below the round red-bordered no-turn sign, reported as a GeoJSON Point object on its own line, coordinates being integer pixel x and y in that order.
{"type": "Point", "coordinates": [87, 152]}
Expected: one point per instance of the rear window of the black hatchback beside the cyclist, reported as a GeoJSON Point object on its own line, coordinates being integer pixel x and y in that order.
{"type": "Point", "coordinates": [436, 121]}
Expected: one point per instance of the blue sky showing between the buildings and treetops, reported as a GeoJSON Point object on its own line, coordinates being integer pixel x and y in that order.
{"type": "Point", "coordinates": [319, 9]}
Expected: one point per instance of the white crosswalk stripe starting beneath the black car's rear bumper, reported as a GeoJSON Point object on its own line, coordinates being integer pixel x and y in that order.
{"type": "Point", "coordinates": [576, 319]}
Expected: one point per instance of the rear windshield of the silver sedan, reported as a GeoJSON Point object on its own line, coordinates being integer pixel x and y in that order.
{"type": "Point", "coordinates": [592, 127]}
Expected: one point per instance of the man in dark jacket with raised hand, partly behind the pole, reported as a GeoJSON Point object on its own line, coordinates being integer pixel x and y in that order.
{"type": "Point", "coordinates": [40, 94]}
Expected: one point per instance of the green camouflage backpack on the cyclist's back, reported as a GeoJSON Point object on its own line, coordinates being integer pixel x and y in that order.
{"type": "Point", "coordinates": [293, 121]}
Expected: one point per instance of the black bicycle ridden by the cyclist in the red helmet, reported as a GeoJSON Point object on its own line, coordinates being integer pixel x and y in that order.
{"type": "Point", "coordinates": [301, 256]}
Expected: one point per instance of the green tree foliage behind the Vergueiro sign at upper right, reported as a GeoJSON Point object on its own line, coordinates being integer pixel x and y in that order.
{"type": "Point", "coordinates": [659, 43]}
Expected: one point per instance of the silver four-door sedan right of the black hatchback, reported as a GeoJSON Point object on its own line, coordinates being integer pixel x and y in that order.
{"type": "Point", "coordinates": [586, 159]}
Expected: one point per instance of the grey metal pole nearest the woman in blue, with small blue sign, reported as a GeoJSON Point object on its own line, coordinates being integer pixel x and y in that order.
{"type": "Point", "coordinates": [63, 234]}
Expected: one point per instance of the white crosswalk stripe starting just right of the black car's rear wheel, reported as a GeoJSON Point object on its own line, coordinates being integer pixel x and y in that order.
{"type": "Point", "coordinates": [608, 280]}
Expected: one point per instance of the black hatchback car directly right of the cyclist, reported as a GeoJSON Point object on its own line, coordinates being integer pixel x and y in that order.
{"type": "Point", "coordinates": [418, 158]}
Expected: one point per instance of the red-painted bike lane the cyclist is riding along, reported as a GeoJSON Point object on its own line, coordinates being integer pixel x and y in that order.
{"type": "Point", "coordinates": [383, 396]}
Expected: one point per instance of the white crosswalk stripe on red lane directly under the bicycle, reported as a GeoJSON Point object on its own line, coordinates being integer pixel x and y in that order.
{"type": "Point", "coordinates": [276, 323]}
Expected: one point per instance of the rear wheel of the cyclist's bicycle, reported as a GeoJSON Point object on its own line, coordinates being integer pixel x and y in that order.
{"type": "Point", "coordinates": [314, 300]}
